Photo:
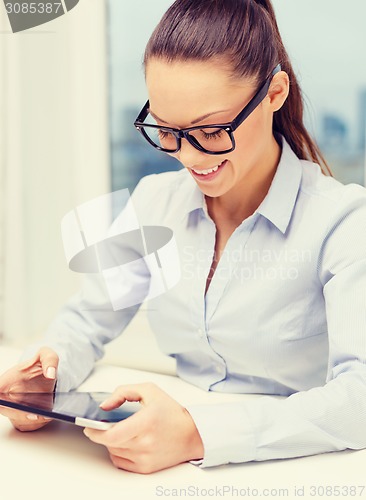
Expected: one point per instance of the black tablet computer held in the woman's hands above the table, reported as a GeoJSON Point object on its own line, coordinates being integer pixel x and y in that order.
{"type": "Point", "coordinates": [80, 408]}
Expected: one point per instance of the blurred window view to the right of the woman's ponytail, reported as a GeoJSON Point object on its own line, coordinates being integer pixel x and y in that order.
{"type": "Point", "coordinates": [326, 42]}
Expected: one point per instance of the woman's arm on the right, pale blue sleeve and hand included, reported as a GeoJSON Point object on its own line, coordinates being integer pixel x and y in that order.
{"type": "Point", "coordinates": [323, 419]}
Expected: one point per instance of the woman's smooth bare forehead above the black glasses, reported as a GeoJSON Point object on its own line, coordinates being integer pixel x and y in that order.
{"type": "Point", "coordinates": [181, 91]}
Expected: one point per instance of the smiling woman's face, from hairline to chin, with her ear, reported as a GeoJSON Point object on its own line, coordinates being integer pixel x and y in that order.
{"type": "Point", "coordinates": [200, 94]}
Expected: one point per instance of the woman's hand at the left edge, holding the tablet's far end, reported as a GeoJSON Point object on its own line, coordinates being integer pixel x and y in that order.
{"type": "Point", "coordinates": [35, 375]}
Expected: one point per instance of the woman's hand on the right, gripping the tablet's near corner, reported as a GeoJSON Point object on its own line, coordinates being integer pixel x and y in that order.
{"type": "Point", "coordinates": [161, 434]}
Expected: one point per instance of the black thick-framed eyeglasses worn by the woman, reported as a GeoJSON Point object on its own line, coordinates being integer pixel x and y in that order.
{"type": "Point", "coordinates": [211, 139]}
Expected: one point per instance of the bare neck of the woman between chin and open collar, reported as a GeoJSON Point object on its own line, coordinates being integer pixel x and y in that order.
{"type": "Point", "coordinates": [243, 200]}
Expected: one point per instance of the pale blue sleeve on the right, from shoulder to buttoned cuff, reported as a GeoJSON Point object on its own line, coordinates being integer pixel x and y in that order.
{"type": "Point", "coordinates": [325, 418]}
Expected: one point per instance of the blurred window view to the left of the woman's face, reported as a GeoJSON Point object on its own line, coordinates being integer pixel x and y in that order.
{"type": "Point", "coordinates": [130, 26]}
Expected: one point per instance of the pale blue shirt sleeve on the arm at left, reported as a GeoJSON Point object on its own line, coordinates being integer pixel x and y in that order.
{"type": "Point", "coordinates": [90, 319]}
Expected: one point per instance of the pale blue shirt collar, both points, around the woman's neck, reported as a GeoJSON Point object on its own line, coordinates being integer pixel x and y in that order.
{"type": "Point", "coordinates": [280, 200]}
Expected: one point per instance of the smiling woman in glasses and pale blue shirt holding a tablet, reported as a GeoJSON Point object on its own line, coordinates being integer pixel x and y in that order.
{"type": "Point", "coordinates": [272, 294]}
